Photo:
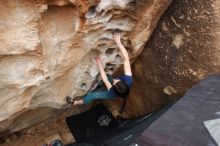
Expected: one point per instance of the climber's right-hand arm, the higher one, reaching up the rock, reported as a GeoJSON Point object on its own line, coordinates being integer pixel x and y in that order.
{"type": "Point", "coordinates": [127, 64]}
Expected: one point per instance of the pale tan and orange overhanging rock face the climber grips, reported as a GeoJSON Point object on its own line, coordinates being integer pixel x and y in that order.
{"type": "Point", "coordinates": [46, 49]}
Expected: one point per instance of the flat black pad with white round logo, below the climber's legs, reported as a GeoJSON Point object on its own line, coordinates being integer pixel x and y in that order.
{"type": "Point", "coordinates": [91, 123]}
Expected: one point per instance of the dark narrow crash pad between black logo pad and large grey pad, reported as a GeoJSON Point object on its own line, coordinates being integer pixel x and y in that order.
{"type": "Point", "coordinates": [125, 133]}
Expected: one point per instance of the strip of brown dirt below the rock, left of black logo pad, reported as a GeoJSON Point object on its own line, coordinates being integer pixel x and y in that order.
{"type": "Point", "coordinates": [36, 135]}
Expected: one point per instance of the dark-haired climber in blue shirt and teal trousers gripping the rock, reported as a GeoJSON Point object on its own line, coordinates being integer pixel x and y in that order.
{"type": "Point", "coordinates": [119, 87]}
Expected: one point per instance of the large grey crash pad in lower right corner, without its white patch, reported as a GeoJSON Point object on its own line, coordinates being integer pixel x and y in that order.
{"type": "Point", "coordinates": [182, 124]}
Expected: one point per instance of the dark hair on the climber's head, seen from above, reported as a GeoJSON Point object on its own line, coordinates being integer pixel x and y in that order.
{"type": "Point", "coordinates": [122, 89]}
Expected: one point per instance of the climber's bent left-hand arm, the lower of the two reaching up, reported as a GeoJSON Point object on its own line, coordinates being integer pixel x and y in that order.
{"type": "Point", "coordinates": [102, 73]}
